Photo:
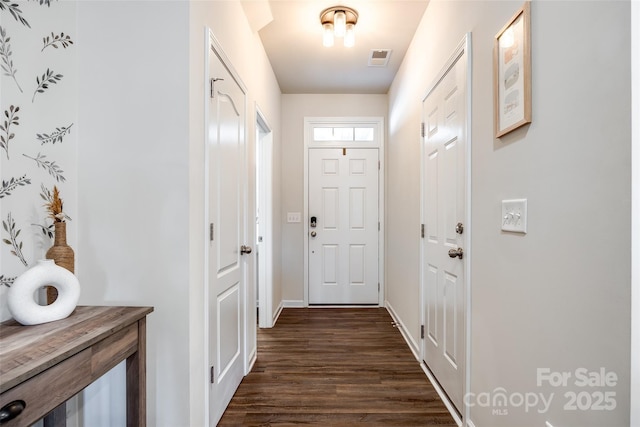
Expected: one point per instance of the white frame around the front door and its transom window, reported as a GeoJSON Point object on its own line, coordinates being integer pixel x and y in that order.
{"type": "Point", "coordinates": [378, 123]}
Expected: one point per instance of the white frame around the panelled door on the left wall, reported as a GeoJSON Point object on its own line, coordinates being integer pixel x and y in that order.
{"type": "Point", "coordinates": [213, 47]}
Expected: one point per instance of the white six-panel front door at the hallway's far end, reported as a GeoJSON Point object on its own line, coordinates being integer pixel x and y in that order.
{"type": "Point", "coordinates": [343, 225]}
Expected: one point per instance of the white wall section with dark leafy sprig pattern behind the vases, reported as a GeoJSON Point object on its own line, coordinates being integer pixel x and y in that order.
{"type": "Point", "coordinates": [37, 145]}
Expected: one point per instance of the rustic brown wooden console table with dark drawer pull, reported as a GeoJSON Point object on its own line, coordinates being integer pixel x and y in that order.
{"type": "Point", "coordinates": [43, 366]}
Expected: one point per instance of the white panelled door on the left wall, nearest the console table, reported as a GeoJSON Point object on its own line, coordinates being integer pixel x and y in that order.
{"type": "Point", "coordinates": [226, 145]}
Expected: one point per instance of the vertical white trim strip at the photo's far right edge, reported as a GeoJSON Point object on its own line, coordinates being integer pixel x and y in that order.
{"type": "Point", "coordinates": [635, 214]}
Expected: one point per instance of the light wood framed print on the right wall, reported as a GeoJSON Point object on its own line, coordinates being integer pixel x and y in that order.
{"type": "Point", "coordinates": [512, 73]}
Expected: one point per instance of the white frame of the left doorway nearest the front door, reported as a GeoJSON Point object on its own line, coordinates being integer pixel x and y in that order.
{"type": "Point", "coordinates": [264, 146]}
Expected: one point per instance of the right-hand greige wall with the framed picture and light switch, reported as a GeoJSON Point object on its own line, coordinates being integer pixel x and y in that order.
{"type": "Point", "coordinates": [558, 297]}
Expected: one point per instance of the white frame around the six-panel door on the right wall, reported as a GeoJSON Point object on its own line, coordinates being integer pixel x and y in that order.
{"type": "Point", "coordinates": [463, 48]}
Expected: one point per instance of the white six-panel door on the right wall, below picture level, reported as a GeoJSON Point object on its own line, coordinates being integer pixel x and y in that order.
{"type": "Point", "coordinates": [443, 213]}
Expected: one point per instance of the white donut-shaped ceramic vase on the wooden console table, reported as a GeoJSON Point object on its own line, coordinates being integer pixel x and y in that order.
{"type": "Point", "coordinates": [20, 297]}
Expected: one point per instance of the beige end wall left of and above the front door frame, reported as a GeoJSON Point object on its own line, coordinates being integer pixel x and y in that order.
{"type": "Point", "coordinates": [294, 109]}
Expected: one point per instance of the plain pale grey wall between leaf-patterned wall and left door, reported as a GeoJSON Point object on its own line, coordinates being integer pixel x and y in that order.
{"type": "Point", "coordinates": [133, 186]}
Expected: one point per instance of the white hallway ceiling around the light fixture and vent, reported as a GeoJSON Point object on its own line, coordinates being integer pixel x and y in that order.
{"type": "Point", "coordinates": [293, 42]}
